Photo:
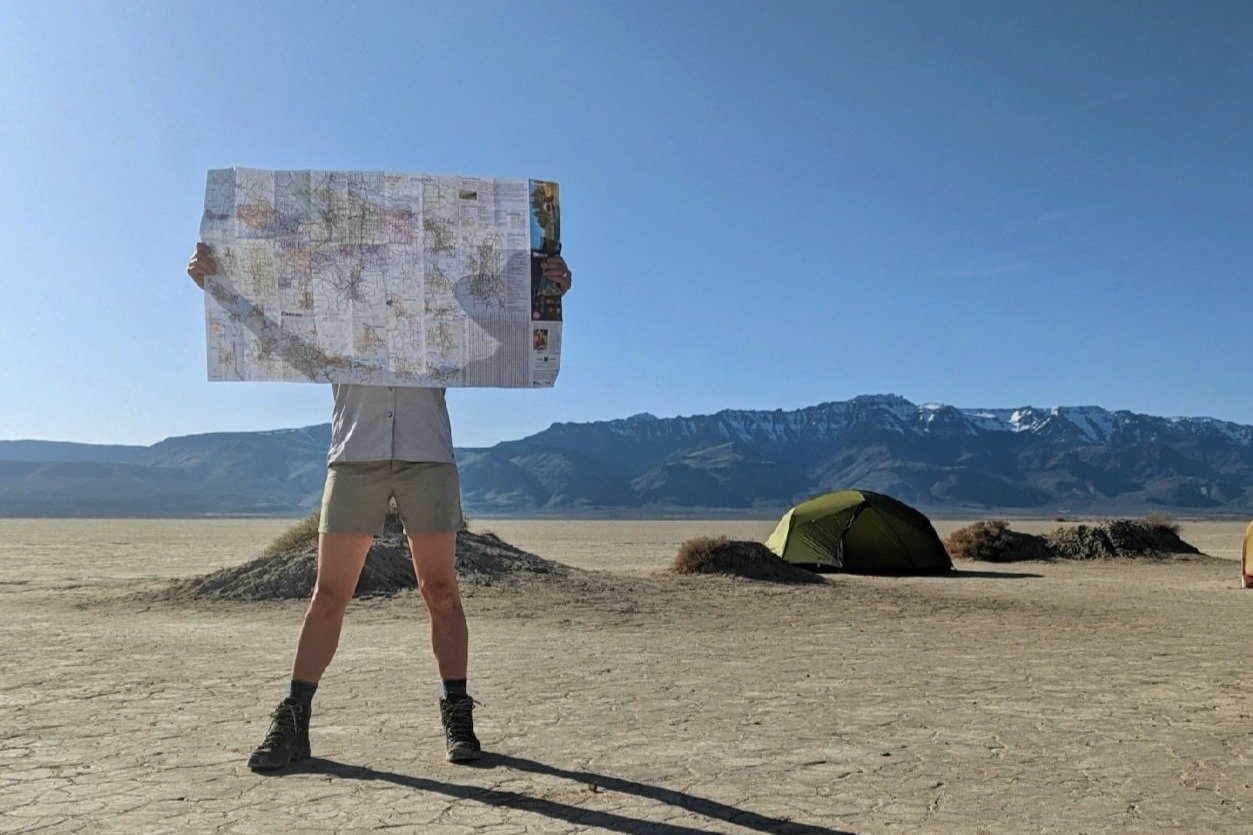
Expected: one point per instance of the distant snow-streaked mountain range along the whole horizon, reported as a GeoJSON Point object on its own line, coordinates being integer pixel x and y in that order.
{"type": "Point", "coordinates": [943, 460]}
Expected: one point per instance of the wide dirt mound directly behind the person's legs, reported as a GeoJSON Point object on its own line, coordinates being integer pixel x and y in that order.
{"type": "Point", "coordinates": [289, 567]}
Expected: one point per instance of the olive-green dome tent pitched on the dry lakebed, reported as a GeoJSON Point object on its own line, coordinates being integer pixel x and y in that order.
{"type": "Point", "coordinates": [860, 532]}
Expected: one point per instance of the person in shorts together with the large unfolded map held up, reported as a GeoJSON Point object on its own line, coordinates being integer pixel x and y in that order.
{"type": "Point", "coordinates": [390, 288]}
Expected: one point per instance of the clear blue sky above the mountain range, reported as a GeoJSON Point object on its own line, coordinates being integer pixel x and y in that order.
{"type": "Point", "coordinates": [765, 205]}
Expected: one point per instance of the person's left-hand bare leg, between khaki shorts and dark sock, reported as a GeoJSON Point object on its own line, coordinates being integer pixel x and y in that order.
{"type": "Point", "coordinates": [340, 557]}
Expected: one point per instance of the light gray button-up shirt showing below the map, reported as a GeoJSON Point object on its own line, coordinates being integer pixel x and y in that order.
{"type": "Point", "coordinates": [385, 423]}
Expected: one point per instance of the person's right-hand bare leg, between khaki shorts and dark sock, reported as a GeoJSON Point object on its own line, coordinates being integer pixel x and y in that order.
{"type": "Point", "coordinates": [438, 582]}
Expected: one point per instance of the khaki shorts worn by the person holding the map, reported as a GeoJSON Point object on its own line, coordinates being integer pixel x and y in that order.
{"type": "Point", "coordinates": [356, 496]}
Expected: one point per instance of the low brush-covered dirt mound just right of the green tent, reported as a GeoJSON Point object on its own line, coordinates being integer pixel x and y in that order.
{"type": "Point", "coordinates": [1115, 540]}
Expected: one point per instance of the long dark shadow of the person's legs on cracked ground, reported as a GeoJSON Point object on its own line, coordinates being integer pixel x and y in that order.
{"type": "Point", "coordinates": [577, 816]}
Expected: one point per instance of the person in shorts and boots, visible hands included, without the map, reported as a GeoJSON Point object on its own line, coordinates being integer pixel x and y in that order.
{"type": "Point", "coordinates": [387, 444]}
